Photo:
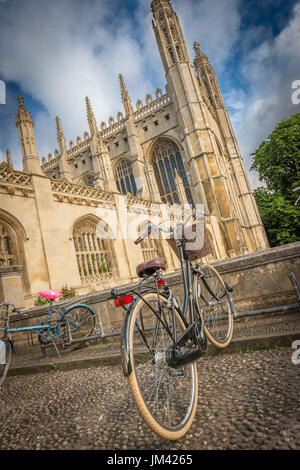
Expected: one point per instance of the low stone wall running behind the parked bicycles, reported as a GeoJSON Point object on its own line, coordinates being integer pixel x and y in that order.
{"type": "Point", "coordinates": [259, 280]}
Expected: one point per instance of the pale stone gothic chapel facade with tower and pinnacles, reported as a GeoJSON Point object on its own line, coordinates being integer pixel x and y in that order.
{"type": "Point", "coordinates": [176, 148]}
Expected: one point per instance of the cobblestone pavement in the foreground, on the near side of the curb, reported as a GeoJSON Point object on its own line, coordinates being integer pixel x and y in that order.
{"type": "Point", "coordinates": [246, 401]}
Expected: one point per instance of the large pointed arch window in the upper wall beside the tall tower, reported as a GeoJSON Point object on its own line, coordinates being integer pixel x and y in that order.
{"type": "Point", "coordinates": [166, 160]}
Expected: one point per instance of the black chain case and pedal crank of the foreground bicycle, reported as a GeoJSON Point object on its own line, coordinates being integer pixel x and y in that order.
{"type": "Point", "coordinates": [190, 346]}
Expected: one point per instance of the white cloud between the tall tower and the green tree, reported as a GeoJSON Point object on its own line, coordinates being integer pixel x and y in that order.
{"type": "Point", "coordinates": [269, 70]}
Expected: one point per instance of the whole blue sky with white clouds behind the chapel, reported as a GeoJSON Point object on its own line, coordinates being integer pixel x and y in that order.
{"type": "Point", "coordinates": [56, 53]}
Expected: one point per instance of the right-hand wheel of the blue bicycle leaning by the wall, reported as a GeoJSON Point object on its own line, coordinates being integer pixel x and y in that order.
{"type": "Point", "coordinates": [85, 317]}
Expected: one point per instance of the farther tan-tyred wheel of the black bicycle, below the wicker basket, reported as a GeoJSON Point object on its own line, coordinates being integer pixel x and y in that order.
{"type": "Point", "coordinates": [216, 305]}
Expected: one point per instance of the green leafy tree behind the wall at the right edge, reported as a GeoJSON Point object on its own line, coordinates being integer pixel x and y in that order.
{"type": "Point", "coordinates": [277, 161]}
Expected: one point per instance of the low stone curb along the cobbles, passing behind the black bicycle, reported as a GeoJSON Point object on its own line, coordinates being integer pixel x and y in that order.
{"type": "Point", "coordinates": [241, 345]}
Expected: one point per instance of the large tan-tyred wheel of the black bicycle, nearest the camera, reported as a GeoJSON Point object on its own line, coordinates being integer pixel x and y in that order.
{"type": "Point", "coordinates": [165, 397]}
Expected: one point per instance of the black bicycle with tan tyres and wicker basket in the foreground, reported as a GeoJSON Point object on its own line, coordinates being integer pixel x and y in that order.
{"type": "Point", "coordinates": [162, 341]}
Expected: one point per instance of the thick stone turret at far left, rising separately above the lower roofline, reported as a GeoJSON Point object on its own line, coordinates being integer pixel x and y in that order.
{"type": "Point", "coordinates": [24, 123]}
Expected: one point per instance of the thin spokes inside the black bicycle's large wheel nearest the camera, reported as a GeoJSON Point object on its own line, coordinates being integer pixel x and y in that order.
{"type": "Point", "coordinates": [166, 398]}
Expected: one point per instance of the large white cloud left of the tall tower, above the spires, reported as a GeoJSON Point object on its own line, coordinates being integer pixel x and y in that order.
{"type": "Point", "coordinates": [60, 52]}
